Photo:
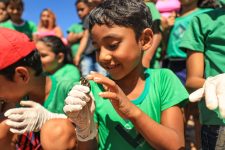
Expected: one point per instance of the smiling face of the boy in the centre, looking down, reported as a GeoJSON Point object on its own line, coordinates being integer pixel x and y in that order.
{"type": "Point", "coordinates": [118, 51]}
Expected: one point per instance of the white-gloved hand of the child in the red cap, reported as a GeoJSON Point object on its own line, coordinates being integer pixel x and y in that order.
{"type": "Point", "coordinates": [29, 118]}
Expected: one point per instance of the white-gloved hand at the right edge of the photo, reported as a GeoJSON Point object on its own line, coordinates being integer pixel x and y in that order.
{"type": "Point", "coordinates": [214, 92]}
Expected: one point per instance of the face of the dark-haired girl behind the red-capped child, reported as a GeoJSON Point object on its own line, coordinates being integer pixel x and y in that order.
{"type": "Point", "coordinates": [48, 57]}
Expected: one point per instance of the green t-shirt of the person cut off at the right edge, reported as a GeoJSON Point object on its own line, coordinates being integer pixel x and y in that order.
{"type": "Point", "coordinates": [206, 34]}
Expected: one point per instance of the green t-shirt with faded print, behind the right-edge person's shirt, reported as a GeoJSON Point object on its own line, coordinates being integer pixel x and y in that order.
{"type": "Point", "coordinates": [177, 32]}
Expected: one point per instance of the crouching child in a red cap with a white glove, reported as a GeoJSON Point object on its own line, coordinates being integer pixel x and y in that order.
{"type": "Point", "coordinates": [21, 78]}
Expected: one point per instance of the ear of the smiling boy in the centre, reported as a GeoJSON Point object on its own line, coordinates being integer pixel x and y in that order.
{"type": "Point", "coordinates": [146, 39]}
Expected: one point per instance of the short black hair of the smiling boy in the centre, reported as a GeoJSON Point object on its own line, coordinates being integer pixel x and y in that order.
{"type": "Point", "coordinates": [128, 13]}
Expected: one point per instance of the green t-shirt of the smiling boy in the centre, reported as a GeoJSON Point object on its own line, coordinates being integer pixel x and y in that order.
{"type": "Point", "coordinates": [162, 91]}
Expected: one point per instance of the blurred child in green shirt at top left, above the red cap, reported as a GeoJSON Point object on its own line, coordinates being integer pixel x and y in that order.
{"type": "Point", "coordinates": [16, 22]}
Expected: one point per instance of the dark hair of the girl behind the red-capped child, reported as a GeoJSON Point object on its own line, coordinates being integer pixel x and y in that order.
{"type": "Point", "coordinates": [57, 46]}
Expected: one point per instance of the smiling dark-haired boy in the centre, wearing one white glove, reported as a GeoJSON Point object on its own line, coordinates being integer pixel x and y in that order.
{"type": "Point", "coordinates": [135, 107]}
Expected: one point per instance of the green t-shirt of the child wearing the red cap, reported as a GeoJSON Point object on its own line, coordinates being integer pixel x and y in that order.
{"type": "Point", "coordinates": [57, 95]}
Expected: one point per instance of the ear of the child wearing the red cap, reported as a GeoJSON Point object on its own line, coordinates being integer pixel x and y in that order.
{"type": "Point", "coordinates": [22, 74]}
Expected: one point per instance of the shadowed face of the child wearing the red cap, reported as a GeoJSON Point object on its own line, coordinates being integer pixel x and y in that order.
{"type": "Point", "coordinates": [10, 91]}
